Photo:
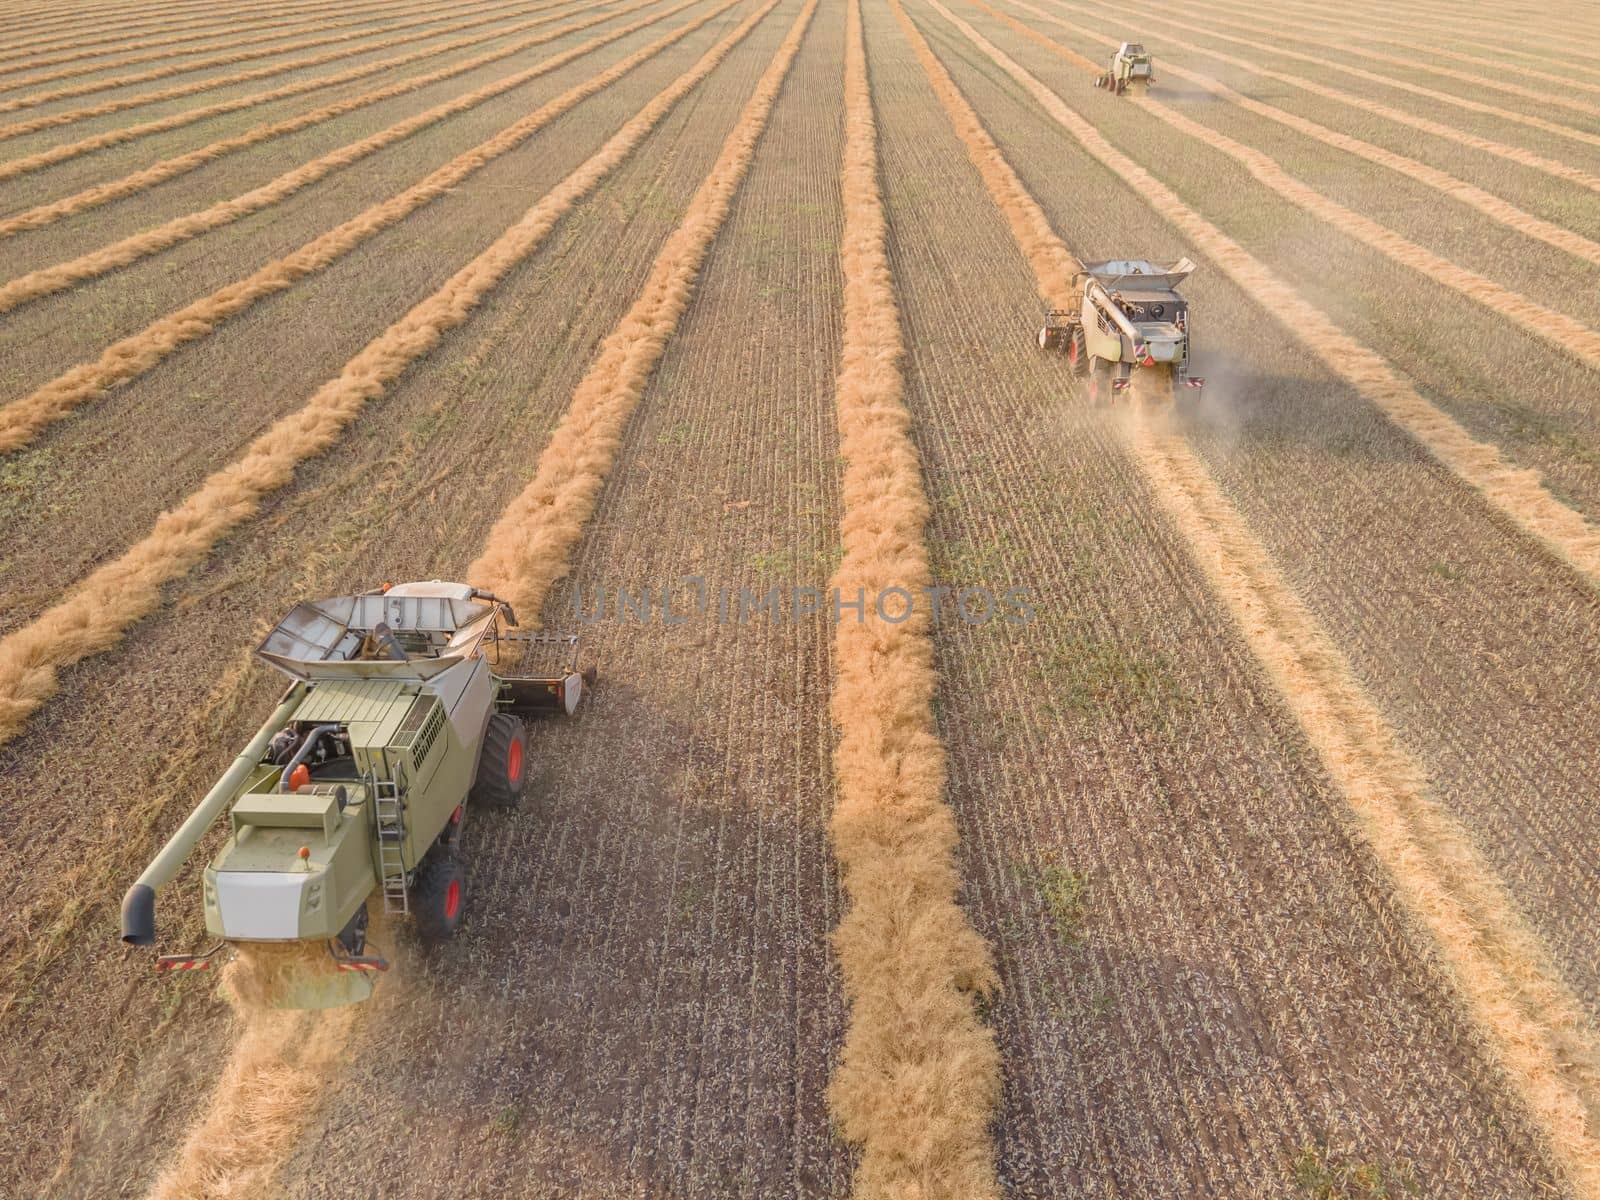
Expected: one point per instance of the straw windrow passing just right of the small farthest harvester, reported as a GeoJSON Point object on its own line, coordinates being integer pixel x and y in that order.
{"type": "Point", "coordinates": [1494, 207]}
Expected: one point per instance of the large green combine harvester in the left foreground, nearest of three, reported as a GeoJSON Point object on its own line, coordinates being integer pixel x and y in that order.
{"type": "Point", "coordinates": [359, 782]}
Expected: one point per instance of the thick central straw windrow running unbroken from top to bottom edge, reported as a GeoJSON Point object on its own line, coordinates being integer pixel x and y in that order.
{"type": "Point", "coordinates": [919, 1079]}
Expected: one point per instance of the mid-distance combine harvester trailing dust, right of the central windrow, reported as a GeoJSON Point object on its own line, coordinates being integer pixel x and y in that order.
{"type": "Point", "coordinates": [1129, 316]}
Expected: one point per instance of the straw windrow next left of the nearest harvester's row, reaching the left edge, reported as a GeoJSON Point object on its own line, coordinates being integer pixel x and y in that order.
{"type": "Point", "coordinates": [127, 590]}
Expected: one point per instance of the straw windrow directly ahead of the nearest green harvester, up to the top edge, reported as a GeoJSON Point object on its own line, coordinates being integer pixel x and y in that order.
{"type": "Point", "coordinates": [530, 546]}
